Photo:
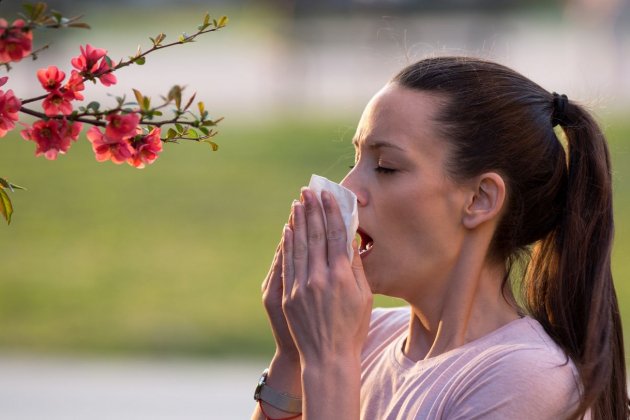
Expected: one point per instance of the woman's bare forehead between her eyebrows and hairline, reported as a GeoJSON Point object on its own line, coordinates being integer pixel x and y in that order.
{"type": "Point", "coordinates": [399, 117]}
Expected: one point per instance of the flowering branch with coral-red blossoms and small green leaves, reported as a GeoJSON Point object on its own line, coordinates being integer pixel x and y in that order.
{"type": "Point", "coordinates": [130, 132]}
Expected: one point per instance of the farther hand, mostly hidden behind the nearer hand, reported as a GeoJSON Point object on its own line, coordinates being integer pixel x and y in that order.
{"type": "Point", "coordinates": [272, 300]}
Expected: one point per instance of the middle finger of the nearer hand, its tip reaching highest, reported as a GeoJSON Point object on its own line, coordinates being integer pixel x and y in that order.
{"type": "Point", "coordinates": [315, 229]}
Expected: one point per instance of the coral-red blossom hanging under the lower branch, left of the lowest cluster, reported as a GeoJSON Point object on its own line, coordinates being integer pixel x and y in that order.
{"type": "Point", "coordinates": [52, 137]}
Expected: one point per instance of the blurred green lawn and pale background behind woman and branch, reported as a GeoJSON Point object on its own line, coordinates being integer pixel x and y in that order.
{"type": "Point", "coordinates": [135, 294]}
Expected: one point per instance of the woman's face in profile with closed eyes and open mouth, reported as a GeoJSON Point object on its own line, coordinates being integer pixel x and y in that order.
{"type": "Point", "coordinates": [410, 212]}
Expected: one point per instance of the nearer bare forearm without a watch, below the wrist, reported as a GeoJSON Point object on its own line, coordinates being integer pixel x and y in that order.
{"type": "Point", "coordinates": [332, 389]}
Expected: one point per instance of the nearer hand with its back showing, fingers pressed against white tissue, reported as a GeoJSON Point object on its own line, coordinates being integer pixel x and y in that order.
{"type": "Point", "coordinates": [326, 298]}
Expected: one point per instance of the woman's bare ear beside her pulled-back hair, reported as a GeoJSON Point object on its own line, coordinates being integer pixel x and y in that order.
{"type": "Point", "coordinates": [486, 200]}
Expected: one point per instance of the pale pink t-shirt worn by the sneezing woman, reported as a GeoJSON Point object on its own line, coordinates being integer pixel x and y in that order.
{"type": "Point", "coordinates": [515, 372]}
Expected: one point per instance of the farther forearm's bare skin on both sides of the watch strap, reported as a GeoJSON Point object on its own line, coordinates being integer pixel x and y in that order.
{"type": "Point", "coordinates": [284, 376]}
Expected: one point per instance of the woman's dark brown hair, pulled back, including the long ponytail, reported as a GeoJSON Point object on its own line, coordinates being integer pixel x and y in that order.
{"type": "Point", "coordinates": [559, 207]}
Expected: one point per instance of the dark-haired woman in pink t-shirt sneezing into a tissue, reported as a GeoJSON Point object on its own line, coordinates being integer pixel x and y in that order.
{"type": "Point", "coordinates": [463, 186]}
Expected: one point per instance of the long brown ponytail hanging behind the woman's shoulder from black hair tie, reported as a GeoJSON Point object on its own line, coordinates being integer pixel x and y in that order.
{"type": "Point", "coordinates": [569, 286]}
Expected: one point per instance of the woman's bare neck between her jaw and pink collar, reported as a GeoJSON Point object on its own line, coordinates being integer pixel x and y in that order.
{"type": "Point", "coordinates": [468, 305]}
